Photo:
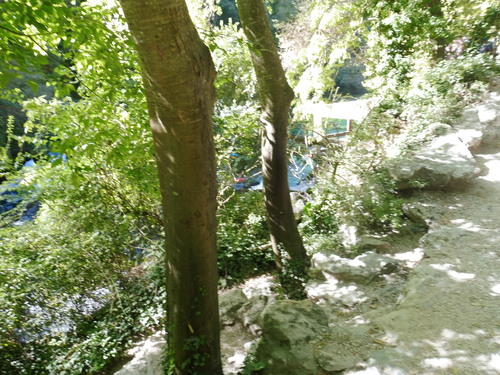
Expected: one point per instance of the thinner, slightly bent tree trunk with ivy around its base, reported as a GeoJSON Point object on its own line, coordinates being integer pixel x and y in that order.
{"type": "Point", "coordinates": [276, 96]}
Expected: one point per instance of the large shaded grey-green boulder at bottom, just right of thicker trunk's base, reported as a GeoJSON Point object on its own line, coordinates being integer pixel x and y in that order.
{"type": "Point", "coordinates": [298, 340]}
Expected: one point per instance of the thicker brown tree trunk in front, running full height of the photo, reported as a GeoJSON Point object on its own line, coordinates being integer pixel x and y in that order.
{"type": "Point", "coordinates": [178, 75]}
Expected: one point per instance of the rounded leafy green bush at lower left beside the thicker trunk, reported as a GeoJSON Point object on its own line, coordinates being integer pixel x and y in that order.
{"type": "Point", "coordinates": [69, 301]}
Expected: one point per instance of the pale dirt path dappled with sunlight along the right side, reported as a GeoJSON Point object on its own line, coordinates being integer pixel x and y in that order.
{"type": "Point", "coordinates": [449, 320]}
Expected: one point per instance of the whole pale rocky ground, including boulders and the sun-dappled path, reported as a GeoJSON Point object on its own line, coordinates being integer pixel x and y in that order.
{"type": "Point", "coordinates": [428, 304]}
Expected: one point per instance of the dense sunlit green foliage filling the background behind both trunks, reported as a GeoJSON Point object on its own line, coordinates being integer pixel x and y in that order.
{"type": "Point", "coordinates": [81, 228]}
